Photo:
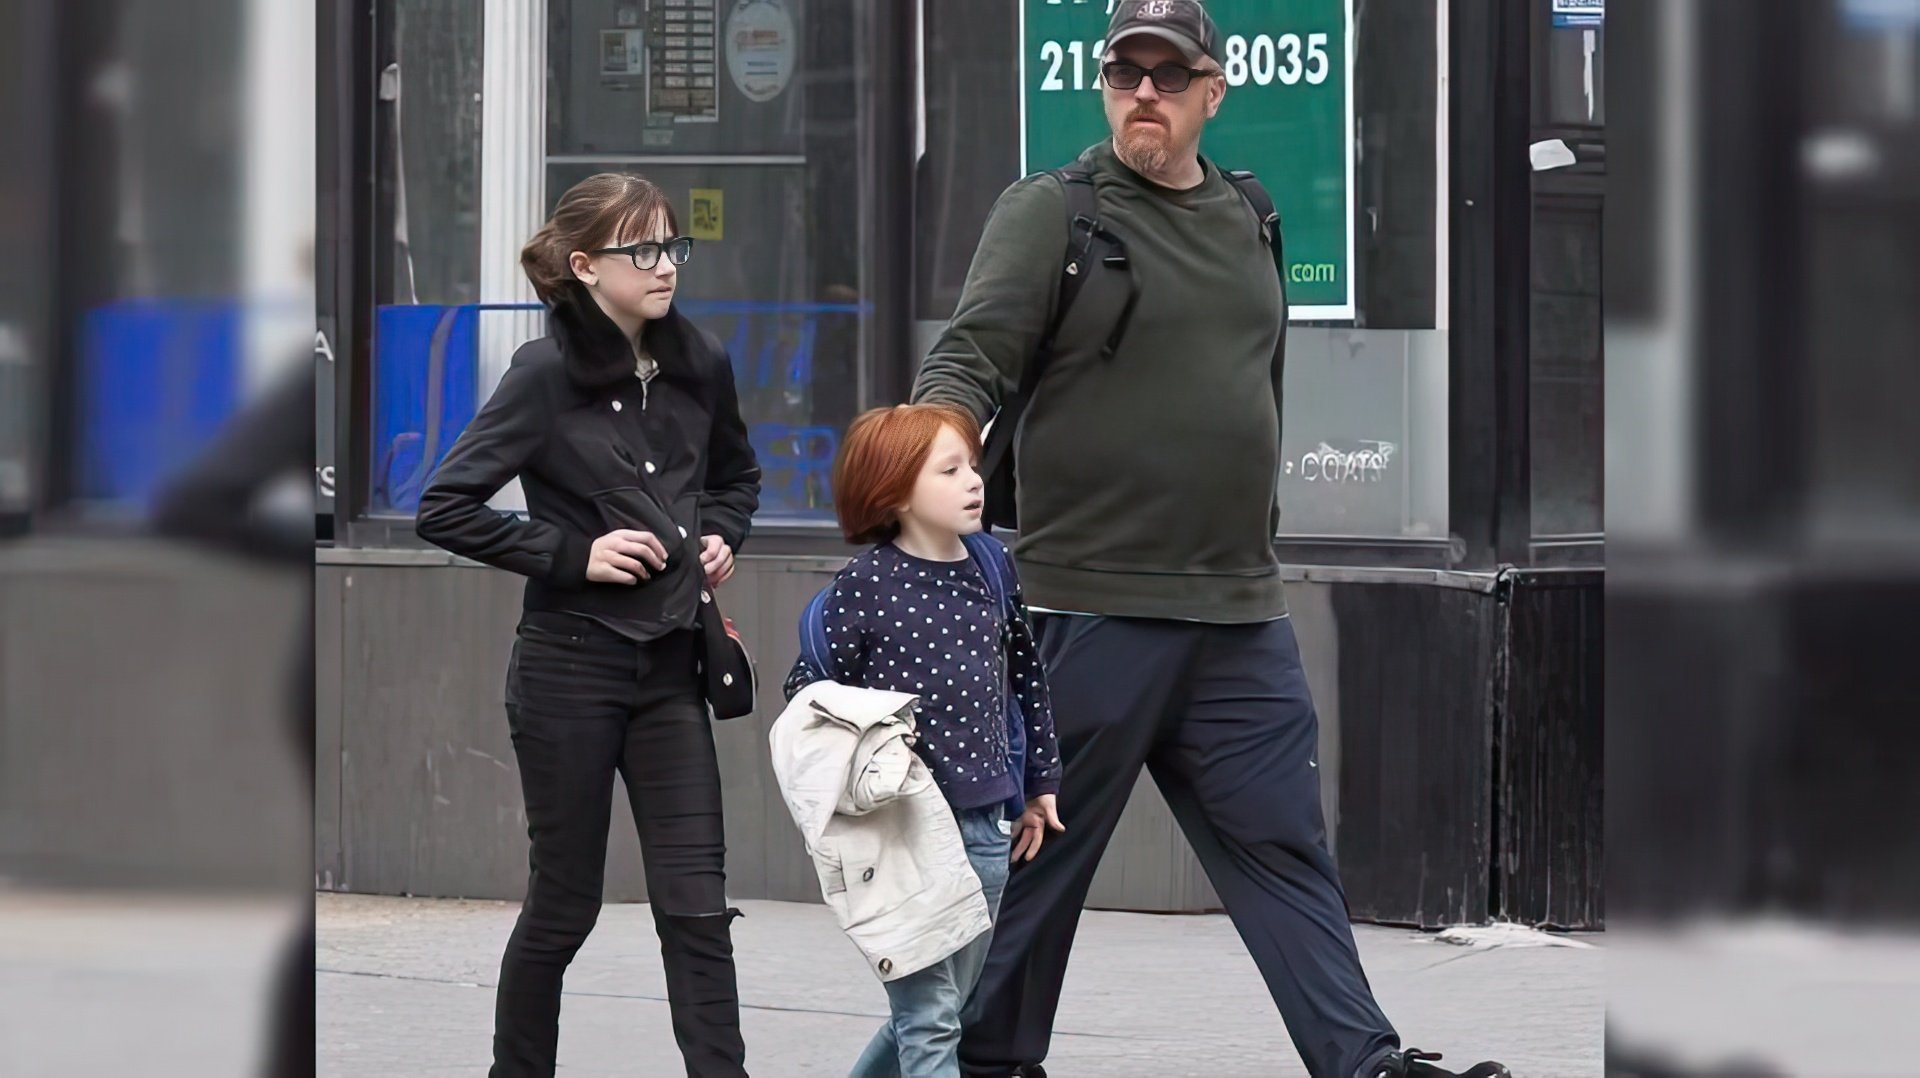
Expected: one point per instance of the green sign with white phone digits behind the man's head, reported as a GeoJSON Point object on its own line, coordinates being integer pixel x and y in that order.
{"type": "Point", "coordinates": [1289, 118]}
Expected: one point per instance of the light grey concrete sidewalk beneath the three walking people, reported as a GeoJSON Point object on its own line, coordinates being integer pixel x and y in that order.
{"type": "Point", "coordinates": [406, 989]}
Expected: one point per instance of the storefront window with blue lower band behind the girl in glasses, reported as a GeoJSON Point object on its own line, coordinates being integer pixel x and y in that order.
{"type": "Point", "coordinates": [744, 112]}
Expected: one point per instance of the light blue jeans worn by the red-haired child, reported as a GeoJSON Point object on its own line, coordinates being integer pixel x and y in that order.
{"type": "Point", "coordinates": [923, 1039]}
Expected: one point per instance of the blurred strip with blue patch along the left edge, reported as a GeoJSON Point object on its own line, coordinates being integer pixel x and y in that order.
{"type": "Point", "coordinates": [156, 212]}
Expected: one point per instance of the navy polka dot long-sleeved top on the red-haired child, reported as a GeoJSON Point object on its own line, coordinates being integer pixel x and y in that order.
{"type": "Point", "coordinates": [901, 624]}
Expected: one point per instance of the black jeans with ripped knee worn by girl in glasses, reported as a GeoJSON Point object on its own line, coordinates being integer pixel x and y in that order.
{"type": "Point", "coordinates": [585, 704]}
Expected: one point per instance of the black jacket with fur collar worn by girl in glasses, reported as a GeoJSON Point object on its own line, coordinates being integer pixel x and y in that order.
{"type": "Point", "coordinates": [600, 451]}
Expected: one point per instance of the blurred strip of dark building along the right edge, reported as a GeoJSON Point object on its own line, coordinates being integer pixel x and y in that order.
{"type": "Point", "coordinates": [1764, 497]}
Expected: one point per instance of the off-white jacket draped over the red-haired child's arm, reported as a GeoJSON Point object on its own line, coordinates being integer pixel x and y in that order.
{"type": "Point", "coordinates": [884, 841]}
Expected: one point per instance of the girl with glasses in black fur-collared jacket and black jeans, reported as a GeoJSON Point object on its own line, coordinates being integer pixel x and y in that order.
{"type": "Point", "coordinates": [623, 428]}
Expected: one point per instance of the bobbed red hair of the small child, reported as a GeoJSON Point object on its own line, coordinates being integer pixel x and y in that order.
{"type": "Point", "coordinates": [880, 462]}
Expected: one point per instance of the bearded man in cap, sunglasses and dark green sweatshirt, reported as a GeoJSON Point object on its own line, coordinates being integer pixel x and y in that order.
{"type": "Point", "coordinates": [1147, 510]}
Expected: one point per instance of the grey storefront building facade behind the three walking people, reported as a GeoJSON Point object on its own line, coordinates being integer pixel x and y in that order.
{"type": "Point", "coordinates": [1441, 180]}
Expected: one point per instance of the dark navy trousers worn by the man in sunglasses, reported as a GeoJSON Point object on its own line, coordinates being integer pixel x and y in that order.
{"type": "Point", "coordinates": [1222, 718]}
